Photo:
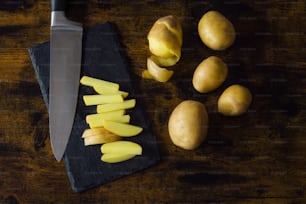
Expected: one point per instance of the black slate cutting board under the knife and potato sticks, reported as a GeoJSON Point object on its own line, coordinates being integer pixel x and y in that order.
{"type": "Point", "coordinates": [102, 57]}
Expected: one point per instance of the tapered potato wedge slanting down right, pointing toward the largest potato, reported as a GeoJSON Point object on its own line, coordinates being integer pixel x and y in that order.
{"type": "Point", "coordinates": [121, 129]}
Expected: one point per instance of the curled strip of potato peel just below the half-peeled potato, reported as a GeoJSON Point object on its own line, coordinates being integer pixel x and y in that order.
{"type": "Point", "coordinates": [158, 73]}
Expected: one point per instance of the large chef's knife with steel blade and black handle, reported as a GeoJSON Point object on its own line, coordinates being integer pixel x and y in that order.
{"type": "Point", "coordinates": [65, 66]}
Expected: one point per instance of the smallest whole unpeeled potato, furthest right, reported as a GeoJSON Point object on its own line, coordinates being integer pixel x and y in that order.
{"type": "Point", "coordinates": [234, 101]}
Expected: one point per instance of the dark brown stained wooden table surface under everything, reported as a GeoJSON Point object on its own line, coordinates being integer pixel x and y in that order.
{"type": "Point", "coordinates": [259, 157]}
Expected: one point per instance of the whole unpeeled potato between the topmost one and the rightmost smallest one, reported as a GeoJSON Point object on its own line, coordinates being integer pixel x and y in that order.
{"type": "Point", "coordinates": [209, 74]}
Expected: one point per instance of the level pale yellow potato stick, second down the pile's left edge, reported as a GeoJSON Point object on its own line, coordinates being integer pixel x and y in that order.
{"type": "Point", "coordinates": [90, 100]}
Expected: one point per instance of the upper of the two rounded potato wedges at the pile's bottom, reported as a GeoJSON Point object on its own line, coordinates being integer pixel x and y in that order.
{"type": "Point", "coordinates": [121, 147]}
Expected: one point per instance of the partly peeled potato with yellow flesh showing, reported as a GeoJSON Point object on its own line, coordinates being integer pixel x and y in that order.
{"type": "Point", "coordinates": [165, 40]}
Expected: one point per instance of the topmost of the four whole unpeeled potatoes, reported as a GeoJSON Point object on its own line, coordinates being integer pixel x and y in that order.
{"type": "Point", "coordinates": [216, 31]}
